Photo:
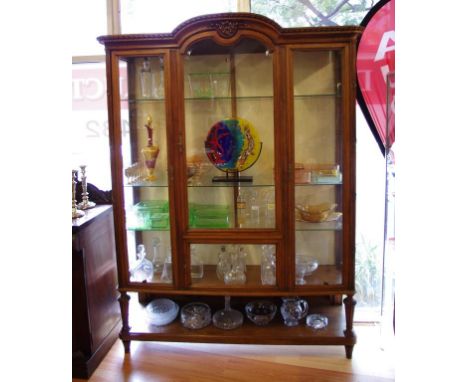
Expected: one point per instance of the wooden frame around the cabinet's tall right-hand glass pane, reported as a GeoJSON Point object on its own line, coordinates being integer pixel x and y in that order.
{"type": "Point", "coordinates": [348, 103]}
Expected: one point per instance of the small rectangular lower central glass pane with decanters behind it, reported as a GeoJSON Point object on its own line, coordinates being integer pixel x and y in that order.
{"type": "Point", "coordinates": [232, 265]}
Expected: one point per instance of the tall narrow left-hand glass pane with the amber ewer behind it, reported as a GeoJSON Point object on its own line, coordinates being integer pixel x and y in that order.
{"type": "Point", "coordinates": [144, 155]}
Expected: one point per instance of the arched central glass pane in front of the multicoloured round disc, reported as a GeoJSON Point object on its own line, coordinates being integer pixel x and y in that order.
{"type": "Point", "coordinates": [229, 122]}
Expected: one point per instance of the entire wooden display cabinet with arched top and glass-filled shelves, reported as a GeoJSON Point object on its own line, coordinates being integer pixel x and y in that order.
{"type": "Point", "coordinates": [233, 166]}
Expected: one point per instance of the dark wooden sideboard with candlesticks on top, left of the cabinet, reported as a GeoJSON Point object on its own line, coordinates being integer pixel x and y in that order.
{"type": "Point", "coordinates": [96, 314]}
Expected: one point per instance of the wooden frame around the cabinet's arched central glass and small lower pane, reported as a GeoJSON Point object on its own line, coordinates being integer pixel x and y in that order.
{"type": "Point", "coordinates": [235, 235]}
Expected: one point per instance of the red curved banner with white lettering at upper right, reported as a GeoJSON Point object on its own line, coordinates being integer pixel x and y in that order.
{"type": "Point", "coordinates": [375, 71]}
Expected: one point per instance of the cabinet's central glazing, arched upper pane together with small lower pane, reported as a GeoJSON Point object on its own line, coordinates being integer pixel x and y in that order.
{"type": "Point", "coordinates": [230, 156]}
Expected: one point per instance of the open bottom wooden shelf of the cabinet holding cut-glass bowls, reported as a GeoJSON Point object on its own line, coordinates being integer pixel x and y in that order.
{"type": "Point", "coordinates": [274, 333]}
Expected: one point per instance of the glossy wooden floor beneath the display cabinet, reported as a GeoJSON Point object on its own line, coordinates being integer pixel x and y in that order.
{"type": "Point", "coordinates": [169, 361]}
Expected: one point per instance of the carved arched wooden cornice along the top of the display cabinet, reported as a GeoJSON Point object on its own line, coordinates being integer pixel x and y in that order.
{"type": "Point", "coordinates": [227, 29]}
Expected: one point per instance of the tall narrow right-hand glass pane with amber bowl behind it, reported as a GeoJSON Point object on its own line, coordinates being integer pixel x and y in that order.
{"type": "Point", "coordinates": [318, 166]}
